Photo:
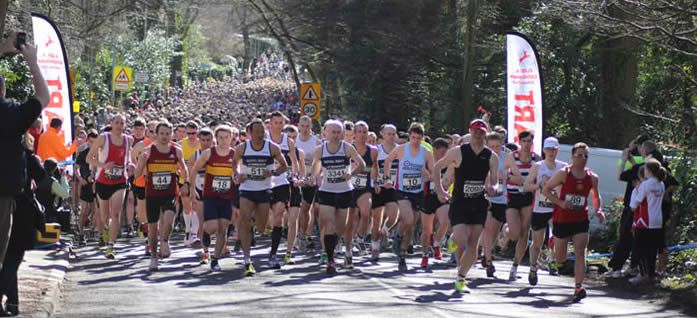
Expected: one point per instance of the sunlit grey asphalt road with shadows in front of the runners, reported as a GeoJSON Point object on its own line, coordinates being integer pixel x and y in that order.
{"type": "Point", "coordinates": [98, 287]}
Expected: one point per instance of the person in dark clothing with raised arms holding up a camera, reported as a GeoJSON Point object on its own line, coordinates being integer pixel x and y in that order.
{"type": "Point", "coordinates": [15, 120]}
